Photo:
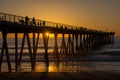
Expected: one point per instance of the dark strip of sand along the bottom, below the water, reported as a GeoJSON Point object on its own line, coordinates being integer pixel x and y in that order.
{"type": "Point", "coordinates": [101, 75]}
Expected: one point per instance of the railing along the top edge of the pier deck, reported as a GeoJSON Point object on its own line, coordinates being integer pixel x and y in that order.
{"type": "Point", "coordinates": [38, 23]}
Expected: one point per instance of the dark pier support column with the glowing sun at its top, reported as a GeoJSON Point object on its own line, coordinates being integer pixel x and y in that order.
{"type": "Point", "coordinates": [46, 39]}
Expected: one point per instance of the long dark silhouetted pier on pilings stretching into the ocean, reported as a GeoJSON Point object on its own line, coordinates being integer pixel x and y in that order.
{"type": "Point", "coordinates": [79, 41]}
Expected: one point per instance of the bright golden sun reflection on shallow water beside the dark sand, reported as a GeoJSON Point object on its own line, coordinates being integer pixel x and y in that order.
{"type": "Point", "coordinates": [62, 67]}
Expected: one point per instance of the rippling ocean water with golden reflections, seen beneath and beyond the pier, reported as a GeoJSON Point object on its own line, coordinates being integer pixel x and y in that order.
{"type": "Point", "coordinates": [104, 58]}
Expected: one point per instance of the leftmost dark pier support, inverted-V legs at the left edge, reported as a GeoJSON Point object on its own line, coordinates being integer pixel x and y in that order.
{"type": "Point", "coordinates": [5, 48]}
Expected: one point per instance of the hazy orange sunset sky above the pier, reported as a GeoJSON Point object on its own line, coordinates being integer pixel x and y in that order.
{"type": "Point", "coordinates": [95, 14]}
